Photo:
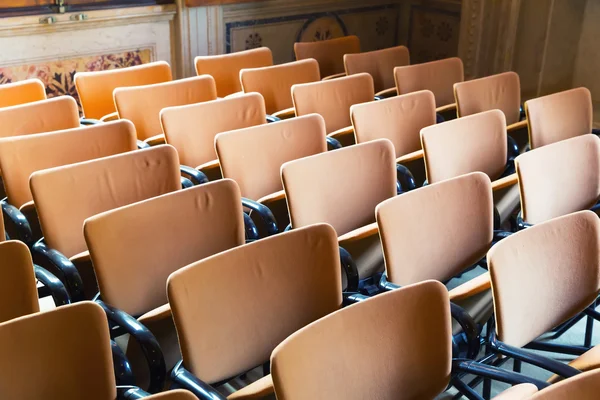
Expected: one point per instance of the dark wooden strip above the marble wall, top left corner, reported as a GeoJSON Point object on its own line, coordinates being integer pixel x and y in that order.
{"type": "Point", "coordinates": [28, 7]}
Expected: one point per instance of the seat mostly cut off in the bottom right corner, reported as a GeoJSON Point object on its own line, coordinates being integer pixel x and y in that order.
{"type": "Point", "coordinates": [584, 386]}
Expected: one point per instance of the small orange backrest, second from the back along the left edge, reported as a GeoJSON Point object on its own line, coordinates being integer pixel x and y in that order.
{"type": "Point", "coordinates": [41, 116]}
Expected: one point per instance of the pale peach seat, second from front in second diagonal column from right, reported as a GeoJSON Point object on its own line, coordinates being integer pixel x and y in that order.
{"type": "Point", "coordinates": [475, 143]}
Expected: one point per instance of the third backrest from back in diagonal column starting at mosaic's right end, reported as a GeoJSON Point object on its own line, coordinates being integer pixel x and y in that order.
{"type": "Point", "coordinates": [192, 129]}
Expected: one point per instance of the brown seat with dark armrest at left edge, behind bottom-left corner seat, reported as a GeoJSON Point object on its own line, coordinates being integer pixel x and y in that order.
{"type": "Point", "coordinates": [18, 291]}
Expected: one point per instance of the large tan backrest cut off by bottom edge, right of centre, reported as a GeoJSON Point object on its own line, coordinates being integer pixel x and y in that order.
{"type": "Point", "coordinates": [342, 356]}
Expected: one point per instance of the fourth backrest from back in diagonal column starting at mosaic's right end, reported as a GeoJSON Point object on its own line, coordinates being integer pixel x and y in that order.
{"type": "Point", "coordinates": [253, 156]}
